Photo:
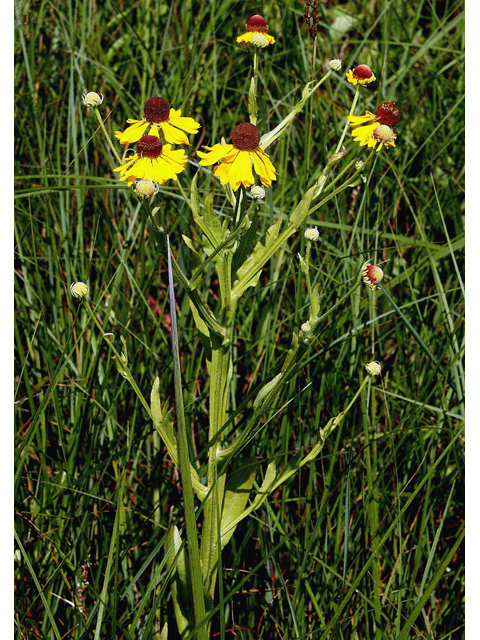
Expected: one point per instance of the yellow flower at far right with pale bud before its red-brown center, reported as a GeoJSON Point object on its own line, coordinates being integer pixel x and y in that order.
{"type": "Point", "coordinates": [376, 127]}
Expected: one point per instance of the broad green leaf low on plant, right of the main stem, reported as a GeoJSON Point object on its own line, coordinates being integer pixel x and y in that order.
{"type": "Point", "coordinates": [237, 492]}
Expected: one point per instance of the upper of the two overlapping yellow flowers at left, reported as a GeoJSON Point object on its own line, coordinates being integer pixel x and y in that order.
{"type": "Point", "coordinates": [158, 116]}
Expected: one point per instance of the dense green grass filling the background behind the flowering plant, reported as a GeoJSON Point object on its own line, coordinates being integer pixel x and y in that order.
{"type": "Point", "coordinates": [367, 541]}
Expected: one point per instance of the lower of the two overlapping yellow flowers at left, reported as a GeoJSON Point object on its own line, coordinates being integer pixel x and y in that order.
{"type": "Point", "coordinates": [153, 161]}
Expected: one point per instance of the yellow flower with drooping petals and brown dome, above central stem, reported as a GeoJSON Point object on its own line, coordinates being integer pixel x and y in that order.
{"type": "Point", "coordinates": [237, 159]}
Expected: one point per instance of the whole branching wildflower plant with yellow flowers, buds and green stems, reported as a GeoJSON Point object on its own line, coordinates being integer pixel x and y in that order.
{"type": "Point", "coordinates": [226, 495]}
